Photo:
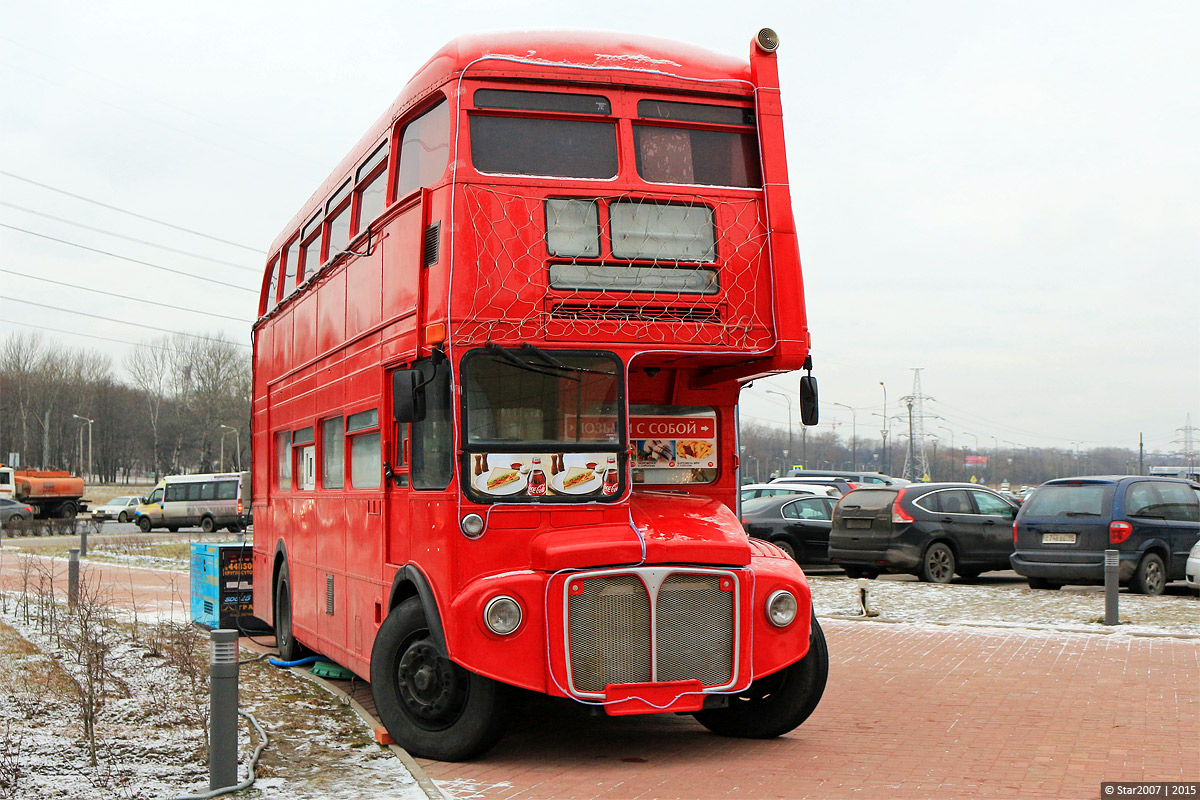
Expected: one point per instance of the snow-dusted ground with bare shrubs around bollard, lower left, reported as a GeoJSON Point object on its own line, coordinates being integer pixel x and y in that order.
{"type": "Point", "coordinates": [151, 729]}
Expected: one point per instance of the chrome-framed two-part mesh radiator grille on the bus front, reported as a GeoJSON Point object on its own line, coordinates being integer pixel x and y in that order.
{"type": "Point", "coordinates": [650, 625]}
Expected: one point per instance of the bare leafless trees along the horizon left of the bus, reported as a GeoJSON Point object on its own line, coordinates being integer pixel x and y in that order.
{"type": "Point", "coordinates": [161, 413]}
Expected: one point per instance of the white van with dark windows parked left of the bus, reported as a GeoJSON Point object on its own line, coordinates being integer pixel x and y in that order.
{"type": "Point", "coordinates": [212, 501]}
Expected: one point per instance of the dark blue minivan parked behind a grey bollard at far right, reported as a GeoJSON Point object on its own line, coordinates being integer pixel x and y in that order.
{"type": "Point", "coordinates": [1066, 526]}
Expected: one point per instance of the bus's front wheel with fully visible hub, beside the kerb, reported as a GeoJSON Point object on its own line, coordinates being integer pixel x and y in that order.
{"type": "Point", "coordinates": [433, 707]}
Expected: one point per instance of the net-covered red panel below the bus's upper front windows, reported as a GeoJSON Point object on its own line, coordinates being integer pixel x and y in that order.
{"type": "Point", "coordinates": [675, 269]}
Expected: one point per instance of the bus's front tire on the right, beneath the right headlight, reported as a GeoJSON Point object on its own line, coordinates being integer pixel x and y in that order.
{"type": "Point", "coordinates": [777, 703]}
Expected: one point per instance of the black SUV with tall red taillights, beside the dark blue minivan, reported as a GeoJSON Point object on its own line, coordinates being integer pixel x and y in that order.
{"type": "Point", "coordinates": [932, 531]}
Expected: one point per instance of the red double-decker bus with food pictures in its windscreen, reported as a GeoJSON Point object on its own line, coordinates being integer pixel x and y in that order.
{"type": "Point", "coordinates": [496, 382]}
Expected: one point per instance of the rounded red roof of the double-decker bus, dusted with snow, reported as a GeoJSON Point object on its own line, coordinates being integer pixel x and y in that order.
{"type": "Point", "coordinates": [604, 53]}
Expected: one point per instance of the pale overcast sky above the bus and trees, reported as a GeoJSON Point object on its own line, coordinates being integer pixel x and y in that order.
{"type": "Point", "coordinates": [1003, 195]}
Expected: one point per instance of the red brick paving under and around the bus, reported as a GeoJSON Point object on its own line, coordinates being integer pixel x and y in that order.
{"type": "Point", "coordinates": [911, 712]}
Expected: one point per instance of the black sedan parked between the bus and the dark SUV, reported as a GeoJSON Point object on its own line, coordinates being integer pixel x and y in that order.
{"type": "Point", "coordinates": [799, 525]}
